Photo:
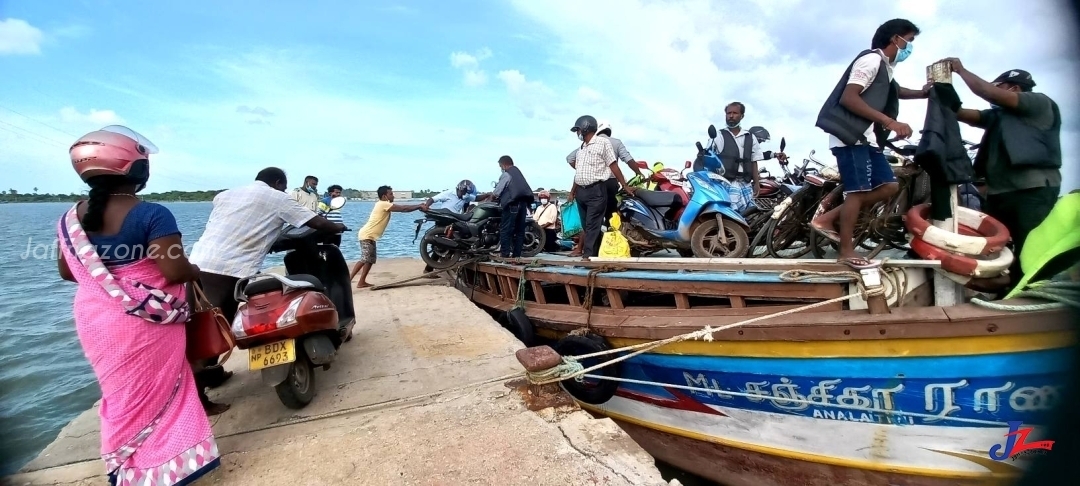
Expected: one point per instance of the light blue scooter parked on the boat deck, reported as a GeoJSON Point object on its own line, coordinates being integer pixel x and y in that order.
{"type": "Point", "coordinates": [705, 227]}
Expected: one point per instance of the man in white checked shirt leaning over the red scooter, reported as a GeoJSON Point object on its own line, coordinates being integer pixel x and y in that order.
{"type": "Point", "coordinates": [244, 225]}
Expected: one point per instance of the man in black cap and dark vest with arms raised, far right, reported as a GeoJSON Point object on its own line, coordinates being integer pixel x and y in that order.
{"type": "Point", "coordinates": [1021, 154]}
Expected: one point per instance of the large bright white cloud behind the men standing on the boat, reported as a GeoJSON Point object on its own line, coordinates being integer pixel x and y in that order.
{"type": "Point", "coordinates": [780, 58]}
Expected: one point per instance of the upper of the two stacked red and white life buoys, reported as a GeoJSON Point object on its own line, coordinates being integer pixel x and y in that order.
{"type": "Point", "coordinates": [990, 236]}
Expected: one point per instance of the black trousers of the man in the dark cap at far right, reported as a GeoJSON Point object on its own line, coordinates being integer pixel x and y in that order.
{"type": "Point", "coordinates": [1021, 212]}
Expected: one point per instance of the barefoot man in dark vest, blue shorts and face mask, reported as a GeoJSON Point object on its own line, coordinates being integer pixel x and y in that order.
{"type": "Point", "coordinates": [859, 116]}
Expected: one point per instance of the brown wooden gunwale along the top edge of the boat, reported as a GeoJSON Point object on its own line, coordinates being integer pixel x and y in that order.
{"type": "Point", "coordinates": [966, 320]}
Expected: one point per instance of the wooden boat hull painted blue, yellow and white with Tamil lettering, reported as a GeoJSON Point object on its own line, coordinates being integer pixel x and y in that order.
{"type": "Point", "coordinates": [903, 389]}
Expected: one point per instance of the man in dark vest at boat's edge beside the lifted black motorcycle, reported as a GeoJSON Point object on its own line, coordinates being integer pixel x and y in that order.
{"type": "Point", "coordinates": [515, 195]}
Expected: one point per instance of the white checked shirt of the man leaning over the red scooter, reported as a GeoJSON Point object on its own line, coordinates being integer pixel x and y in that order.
{"type": "Point", "coordinates": [244, 225]}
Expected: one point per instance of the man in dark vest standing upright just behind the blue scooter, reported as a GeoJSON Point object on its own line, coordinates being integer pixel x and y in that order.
{"type": "Point", "coordinates": [740, 152]}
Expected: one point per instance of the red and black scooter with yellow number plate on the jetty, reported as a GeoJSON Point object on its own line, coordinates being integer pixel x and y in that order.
{"type": "Point", "coordinates": [291, 325]}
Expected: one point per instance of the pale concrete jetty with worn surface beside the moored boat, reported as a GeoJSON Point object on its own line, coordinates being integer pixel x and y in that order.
{"type": "Point", "coordinates": [414, 399]}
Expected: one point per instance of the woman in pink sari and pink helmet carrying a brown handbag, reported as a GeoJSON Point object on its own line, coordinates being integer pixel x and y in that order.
{"type": "Point", "coordinates": [130, 313]}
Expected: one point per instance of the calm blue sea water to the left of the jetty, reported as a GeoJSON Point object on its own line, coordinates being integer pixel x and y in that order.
{"type": "Point", "coordinates": [45, 380]}
